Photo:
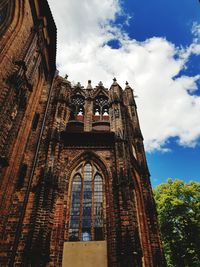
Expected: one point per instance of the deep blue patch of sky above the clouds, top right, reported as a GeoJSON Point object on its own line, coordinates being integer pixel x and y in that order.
{"type": "Point", "coordinates": [170, 19]}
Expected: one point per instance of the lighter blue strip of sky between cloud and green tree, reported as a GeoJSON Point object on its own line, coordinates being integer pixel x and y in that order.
{"type": "Point", "coordinates": [180, 162]}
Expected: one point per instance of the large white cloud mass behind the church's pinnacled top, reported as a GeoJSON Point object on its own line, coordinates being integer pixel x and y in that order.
{"type": "Point", "coordinates": [167, 105]}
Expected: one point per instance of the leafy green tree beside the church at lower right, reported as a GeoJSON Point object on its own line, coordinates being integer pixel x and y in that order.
{"type": "Point", "coordinates": [178, 207]}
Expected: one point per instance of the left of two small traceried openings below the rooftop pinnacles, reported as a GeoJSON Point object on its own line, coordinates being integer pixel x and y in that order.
{"type": "Point", "coordinates": [77, 106]}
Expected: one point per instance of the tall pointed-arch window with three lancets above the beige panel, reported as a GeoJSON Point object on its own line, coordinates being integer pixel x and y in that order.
{"type": "Point", "coordinates": [87, 198]}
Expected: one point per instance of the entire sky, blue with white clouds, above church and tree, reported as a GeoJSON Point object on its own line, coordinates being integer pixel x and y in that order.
{"type": "Point", "coordinates": [155, 45]}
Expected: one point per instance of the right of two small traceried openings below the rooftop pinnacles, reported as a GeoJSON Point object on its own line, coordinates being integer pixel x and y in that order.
{"type": "Point", "coordinates": [101, 107]}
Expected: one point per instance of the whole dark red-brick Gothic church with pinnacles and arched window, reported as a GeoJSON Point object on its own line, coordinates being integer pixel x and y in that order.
{"type": "Point", "coordinates": [74, 182]}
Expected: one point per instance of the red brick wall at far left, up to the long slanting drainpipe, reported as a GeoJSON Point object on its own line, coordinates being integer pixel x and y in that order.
{"type": "Point", "coordinates": [20, 56]}
